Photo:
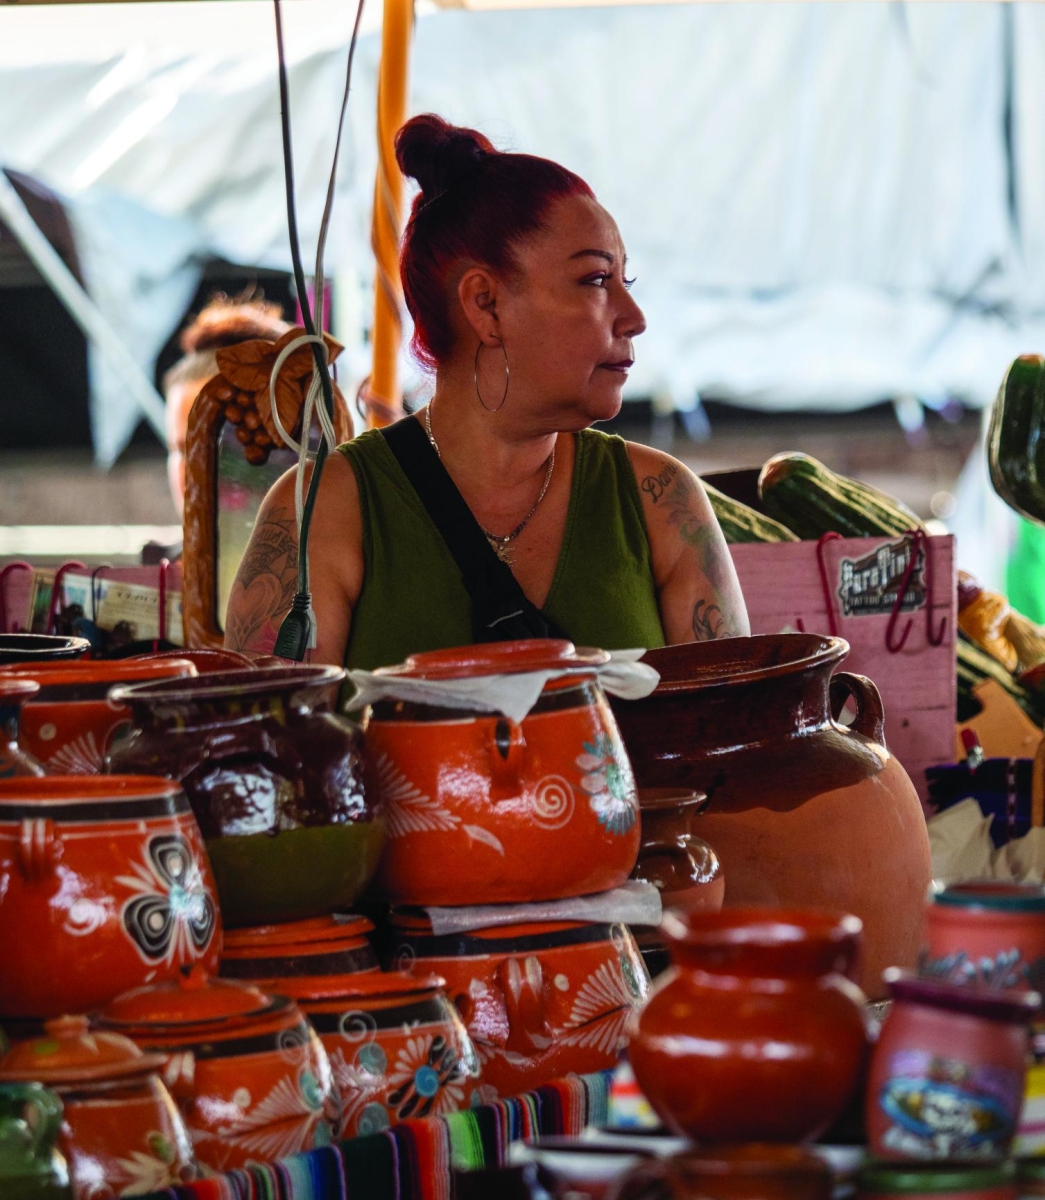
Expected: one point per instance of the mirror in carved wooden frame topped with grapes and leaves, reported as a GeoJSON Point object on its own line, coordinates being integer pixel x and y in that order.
{"type": "Point", "coordinates": [233, 455]}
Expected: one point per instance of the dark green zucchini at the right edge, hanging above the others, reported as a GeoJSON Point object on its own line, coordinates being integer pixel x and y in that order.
{"type": "Point", "coordinates": [1016, 442]}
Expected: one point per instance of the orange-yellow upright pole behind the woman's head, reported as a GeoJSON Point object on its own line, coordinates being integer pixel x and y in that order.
{"type": "Point", "coordinates": [394, 81]}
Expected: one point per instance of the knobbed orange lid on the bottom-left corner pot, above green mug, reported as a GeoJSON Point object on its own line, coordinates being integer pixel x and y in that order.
{"type": "Point", "coordinates": [71, 1053]}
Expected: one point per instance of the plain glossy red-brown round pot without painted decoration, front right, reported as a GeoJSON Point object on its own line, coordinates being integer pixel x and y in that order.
{"type": "Point", "coordinates": [756, 1035]}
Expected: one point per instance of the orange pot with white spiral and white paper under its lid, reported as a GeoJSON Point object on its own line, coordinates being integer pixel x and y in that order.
{"type": "Point", "coordinates": [539, 809]}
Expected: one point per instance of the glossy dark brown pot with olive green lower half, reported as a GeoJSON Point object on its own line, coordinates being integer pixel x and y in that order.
{"type": "Point", "coordinates": [275, 779]}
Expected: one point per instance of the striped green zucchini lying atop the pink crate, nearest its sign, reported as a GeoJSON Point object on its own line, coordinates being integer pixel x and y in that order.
{"type": "Point", "coordinates": [812, 501]}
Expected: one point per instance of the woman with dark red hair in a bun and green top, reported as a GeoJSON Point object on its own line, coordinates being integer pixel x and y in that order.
{"type": "Point", "coordinates": [517, 280]}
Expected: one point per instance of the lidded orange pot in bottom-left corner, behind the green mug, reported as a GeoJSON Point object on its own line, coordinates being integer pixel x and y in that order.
{"type": "Point", "coordinates": [122, 1133]}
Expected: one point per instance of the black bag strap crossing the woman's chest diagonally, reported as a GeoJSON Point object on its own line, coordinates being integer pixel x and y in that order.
{"type": "Point", "coordinates": [501, 609]}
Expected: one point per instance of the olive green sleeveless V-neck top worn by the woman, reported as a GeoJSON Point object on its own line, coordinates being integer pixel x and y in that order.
{"type": "Point", "coordinates": [413, 598]}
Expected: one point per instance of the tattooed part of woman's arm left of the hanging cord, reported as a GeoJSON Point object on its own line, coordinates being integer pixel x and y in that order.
{"type": "Point", "coordinates": [266, 584]}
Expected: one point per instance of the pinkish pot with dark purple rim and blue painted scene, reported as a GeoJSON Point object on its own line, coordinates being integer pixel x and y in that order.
{"type": "Point", "coordinates": [948, 1071]}
